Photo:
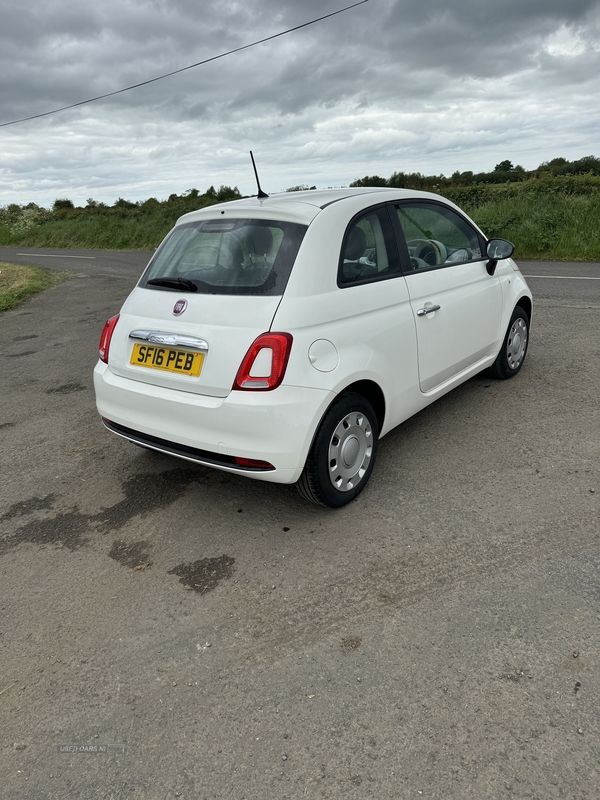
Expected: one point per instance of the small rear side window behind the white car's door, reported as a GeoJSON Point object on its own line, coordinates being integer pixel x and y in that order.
{"type": "Point", "coordinates": [368, 250]}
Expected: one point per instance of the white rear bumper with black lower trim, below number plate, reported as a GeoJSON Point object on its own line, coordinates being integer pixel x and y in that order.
{"type": "Point", "coordinates": [276, 427]}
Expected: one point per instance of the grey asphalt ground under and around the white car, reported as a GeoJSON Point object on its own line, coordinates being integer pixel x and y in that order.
{"type": "Point", "coordinates": [220, 638]}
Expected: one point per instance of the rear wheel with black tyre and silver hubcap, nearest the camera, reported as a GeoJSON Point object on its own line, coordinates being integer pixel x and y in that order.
{"type": "Point", "coordinates": [343, 453]}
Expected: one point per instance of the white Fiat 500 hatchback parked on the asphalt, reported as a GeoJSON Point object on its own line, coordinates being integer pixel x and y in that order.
{"type": "Point", "coordinates": [281, 337]}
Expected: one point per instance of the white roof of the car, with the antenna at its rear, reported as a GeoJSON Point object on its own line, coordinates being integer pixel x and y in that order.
{"type": "Point", "coordinates": [302, 206]}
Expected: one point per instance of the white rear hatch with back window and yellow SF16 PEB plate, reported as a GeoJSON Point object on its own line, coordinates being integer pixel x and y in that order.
{"type": "Point", "coordinates": [211, 289]}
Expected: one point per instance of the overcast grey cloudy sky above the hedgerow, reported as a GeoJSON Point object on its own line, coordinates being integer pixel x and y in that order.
{"type": "Point", "coordinates": [391, 85]}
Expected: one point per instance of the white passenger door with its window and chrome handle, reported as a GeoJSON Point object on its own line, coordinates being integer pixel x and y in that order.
{"type": "Point", "coordinates": [457, 305]}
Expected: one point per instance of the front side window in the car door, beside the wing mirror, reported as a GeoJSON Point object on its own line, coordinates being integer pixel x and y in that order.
{"type": "Point", "coordinates": [437, 236]}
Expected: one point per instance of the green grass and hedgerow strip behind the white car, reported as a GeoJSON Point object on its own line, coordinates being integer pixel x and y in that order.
{"type": "Point", "coordinates": [546, 217]}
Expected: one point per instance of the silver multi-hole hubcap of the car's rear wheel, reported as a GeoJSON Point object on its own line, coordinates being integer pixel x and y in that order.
{"type": "Point", "coordinates": [350, 451]}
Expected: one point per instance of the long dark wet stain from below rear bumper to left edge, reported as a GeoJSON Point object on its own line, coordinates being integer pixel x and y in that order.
{"type": "Point", "coordinates": [71, 529]}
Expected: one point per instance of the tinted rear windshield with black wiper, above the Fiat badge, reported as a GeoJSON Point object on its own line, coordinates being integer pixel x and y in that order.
{"type": "Point", "coordinates": [242, 256]}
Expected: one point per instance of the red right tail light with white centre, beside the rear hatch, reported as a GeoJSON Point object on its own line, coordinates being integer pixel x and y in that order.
{"type": "Point", "coordinates": [264, 364]}
